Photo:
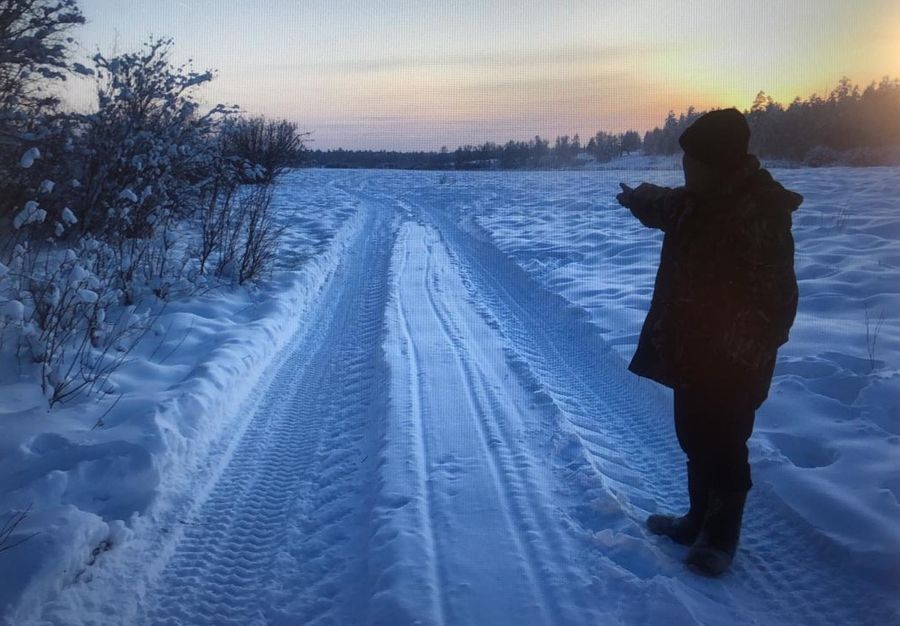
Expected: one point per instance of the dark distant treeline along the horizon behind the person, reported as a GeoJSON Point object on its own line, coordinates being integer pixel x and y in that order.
{"type": "Point", "coordinates": [850, 125]}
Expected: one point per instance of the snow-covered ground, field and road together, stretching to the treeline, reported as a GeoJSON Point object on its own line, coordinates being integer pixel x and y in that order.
{"type": "Point", "coordinates": [425, 417]}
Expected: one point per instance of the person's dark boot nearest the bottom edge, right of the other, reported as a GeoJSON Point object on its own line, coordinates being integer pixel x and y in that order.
{"type": "Point", "coordinates": [712, 553]}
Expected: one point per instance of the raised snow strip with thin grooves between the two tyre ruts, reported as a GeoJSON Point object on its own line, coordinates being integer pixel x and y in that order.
{"type": "Point", "coordinates": [501, 554]}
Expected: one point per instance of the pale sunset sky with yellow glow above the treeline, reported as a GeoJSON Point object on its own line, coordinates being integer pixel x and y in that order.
{"type": "Point", "coordinates": [420, 74]}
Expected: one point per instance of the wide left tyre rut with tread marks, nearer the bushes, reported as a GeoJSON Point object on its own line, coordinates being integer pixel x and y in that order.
{"type": "Point", "coordinates": [282, 537]}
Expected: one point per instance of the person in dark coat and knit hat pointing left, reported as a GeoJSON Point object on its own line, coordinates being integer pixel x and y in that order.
{"type": "Point", "coordinates": [724, 300]}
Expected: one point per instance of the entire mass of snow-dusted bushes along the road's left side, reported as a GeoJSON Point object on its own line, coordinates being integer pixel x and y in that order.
{"type": "Point", "coordinates": [103, 213]}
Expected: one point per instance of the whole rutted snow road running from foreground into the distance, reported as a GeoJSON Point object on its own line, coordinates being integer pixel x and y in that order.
{"type": "Point", "coordinates": [447, 442]}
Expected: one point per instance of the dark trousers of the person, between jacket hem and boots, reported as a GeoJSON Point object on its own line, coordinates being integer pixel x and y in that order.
{"type": "Point", "coordinates": [713, 428]}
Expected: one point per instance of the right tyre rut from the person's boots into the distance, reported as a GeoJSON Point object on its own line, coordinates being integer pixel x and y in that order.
{"type": "Point", "coordinates": [616, 416]}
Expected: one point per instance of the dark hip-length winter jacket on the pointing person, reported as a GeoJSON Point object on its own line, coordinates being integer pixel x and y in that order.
{"type": "Point", "coordinates": [726, 294]}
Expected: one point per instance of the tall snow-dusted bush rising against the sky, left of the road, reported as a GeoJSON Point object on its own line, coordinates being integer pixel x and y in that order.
{"type": "Point", "coordinates": [146, 159]}
